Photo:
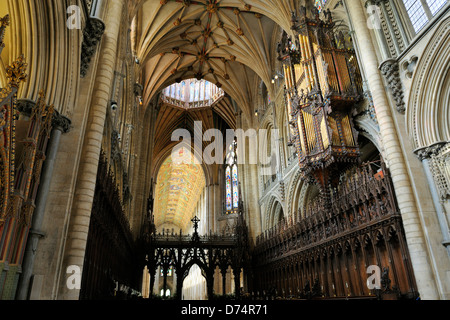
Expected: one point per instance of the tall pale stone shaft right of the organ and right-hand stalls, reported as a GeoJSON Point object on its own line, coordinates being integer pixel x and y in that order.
{"type": "Point", "coordinates": [395, 159]}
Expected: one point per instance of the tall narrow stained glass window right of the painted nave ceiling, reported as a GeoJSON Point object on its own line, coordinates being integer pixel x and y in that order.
{"type": "Point", "coordinates": [232, 179]}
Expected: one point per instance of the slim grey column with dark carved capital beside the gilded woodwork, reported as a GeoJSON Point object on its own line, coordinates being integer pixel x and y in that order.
{"type": "Point", "coordinates": [60, 124]}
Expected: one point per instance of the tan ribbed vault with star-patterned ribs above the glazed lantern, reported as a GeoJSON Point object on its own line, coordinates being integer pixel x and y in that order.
{"type": "Point", "coordinates": [231, 43]}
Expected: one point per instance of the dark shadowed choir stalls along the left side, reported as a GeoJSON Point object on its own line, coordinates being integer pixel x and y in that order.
{"type": "Point", "coordinates": [110, 264]}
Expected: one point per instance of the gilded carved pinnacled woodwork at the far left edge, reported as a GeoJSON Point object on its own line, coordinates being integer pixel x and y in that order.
{"type": "Point", "coordinates": [24, 135]}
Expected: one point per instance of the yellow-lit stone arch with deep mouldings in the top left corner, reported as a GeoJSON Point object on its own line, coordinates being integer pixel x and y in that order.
{"type": "Point", "coordinates": [31, 25]}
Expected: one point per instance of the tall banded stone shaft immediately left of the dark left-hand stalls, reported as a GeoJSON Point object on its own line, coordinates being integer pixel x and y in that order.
{"type": "Point", "coordinates": [84, 195]}
